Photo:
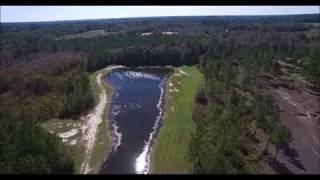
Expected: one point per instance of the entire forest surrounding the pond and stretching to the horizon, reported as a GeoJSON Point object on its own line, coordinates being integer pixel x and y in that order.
{"type": "Point", "coordinates": [43, 78]}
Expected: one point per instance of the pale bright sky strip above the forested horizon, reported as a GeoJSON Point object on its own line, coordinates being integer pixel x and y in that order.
{"type": "Point", "coordinates": [54, 13]}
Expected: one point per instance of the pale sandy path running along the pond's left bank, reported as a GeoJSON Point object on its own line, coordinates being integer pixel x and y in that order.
{"type": "Point", "coordinates": [92, 122]}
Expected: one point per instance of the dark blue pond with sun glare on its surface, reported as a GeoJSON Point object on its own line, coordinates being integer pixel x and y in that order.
{"type": "Point", "coordinates": [135, 114]}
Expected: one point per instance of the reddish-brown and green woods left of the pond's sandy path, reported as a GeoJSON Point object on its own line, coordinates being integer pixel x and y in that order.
{"type": "Point", "coordinates": [51, 85]}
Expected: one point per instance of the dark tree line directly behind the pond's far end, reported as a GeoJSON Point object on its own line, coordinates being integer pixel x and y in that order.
{"type": "Point", "coordinates": [141, 56]}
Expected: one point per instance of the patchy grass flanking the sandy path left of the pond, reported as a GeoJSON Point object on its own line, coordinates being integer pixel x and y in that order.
{"type": "Point", "coordinates": [103, 141]}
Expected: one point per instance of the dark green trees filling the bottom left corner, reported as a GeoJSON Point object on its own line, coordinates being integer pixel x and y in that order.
{"type": "Point", "coordinates": [27, 148]}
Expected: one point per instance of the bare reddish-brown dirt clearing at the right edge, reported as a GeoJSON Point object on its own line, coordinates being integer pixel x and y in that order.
{"type": "Point", "coordinates": [298, 111]}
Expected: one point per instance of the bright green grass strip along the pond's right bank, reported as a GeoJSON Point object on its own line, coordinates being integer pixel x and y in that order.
{"type": "Point", "coordinates": [171, 149]}
